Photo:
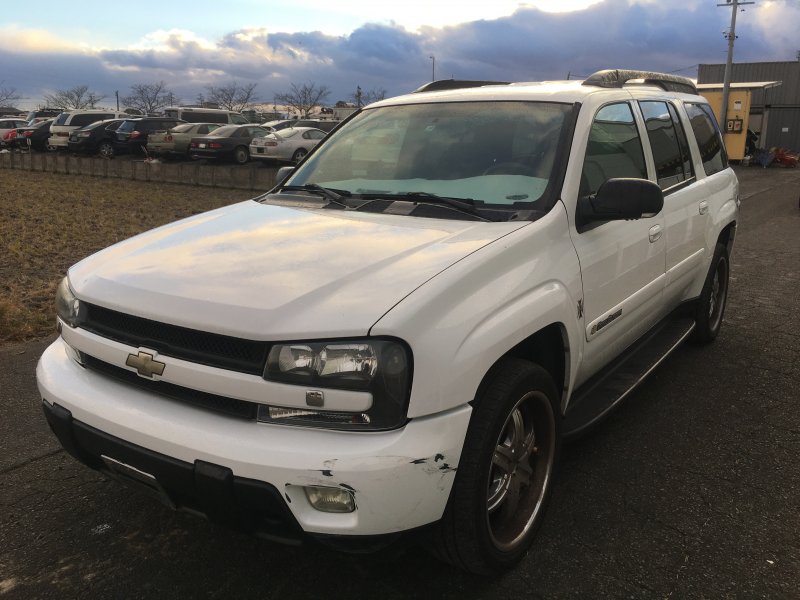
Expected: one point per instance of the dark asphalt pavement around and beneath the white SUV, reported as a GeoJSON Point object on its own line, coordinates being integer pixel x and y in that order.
{"type": "Point", "coordinates": [690, 490]}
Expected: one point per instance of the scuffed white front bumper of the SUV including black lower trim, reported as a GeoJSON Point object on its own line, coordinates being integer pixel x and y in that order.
{"type": "Point", "coordinates": [400, 479]}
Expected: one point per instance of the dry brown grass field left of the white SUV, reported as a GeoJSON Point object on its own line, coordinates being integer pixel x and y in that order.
{"type": "Point", "coordinates": [48, 222]}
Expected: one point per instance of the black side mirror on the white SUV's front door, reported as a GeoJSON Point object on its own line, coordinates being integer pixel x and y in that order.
{"type": "Point", "coordinates": [620, 199]}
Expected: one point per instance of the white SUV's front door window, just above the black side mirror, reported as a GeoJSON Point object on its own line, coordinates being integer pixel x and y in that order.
{"type": "Point", "coordinates": [613, 150]}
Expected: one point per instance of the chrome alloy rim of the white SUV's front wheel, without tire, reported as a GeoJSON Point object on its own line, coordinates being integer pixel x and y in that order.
{"type": "Point", "coordinates": [521, 469]}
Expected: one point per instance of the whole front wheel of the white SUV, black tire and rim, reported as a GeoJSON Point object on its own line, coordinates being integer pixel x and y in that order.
{"type": "Point", "coordinates": [505, 473]}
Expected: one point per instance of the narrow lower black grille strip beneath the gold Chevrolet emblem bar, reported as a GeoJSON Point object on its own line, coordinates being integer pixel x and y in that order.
{"type": "Point", "coordinates": [221, 404]}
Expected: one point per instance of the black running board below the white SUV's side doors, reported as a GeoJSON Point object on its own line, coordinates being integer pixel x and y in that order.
{"type": "Point", "coordinates": [600, 394]}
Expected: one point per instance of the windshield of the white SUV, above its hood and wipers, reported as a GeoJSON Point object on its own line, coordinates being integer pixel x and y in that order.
{"type": "Point", "coordinates": [494, 153]}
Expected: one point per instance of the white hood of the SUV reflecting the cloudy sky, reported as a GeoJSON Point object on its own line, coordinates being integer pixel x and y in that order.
{"type": "Point", "coordinates": [262, 271]}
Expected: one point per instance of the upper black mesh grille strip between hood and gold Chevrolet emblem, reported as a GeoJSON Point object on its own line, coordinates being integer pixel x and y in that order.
{"type": "Point", "coordinates": [211, 349]}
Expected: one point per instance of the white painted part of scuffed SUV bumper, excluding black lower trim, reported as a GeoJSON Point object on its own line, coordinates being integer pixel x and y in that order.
{"type": "Point", "coordinates": [400, 479]}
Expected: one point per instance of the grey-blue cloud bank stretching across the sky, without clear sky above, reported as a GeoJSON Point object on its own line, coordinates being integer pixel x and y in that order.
{"type": "Point", "coordinates": [528, 45]}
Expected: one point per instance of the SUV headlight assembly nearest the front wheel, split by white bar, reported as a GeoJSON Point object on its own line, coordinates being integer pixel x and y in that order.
{"type": "Point", "coordinates": [381, 367]}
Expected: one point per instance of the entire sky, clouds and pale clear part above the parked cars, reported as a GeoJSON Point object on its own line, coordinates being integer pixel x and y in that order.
{"type": "Point", "coordinates": [343, 44]}
